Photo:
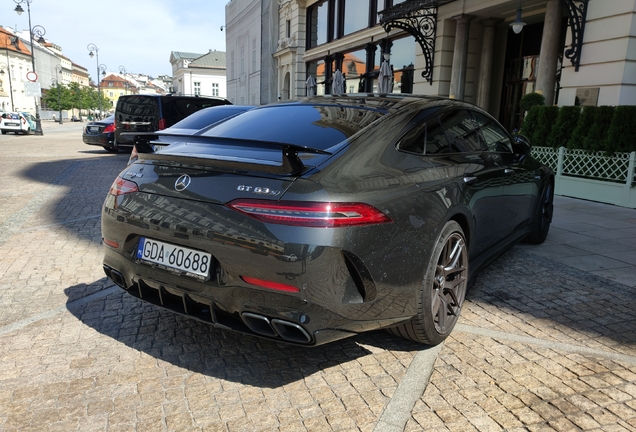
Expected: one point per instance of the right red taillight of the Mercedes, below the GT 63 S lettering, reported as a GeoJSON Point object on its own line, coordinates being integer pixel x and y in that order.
{"type": "Point", "coordinates": [310, 214]}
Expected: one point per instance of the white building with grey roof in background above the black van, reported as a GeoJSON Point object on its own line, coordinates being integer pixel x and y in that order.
{"type": "Point", "coordinates": [199, 74]}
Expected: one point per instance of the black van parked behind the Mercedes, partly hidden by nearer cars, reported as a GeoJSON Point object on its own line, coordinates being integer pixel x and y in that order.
{"type": "Point", "coordinates": [149, 113]}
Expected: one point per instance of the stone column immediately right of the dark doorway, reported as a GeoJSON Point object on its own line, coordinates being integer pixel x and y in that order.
{"type": "Point", "coordinates": [548, 57]}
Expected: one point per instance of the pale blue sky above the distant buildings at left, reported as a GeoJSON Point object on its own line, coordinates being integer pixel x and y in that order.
{"type": "Point", "coordinates": [136, 34]}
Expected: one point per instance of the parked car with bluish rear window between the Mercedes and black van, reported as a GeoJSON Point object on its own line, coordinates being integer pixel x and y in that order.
{"type": "Point", "coordinates": [195, 124]}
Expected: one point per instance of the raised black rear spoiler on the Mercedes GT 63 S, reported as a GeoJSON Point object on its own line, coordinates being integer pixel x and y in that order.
{"type": "Point", "coordinates": [291, 163]}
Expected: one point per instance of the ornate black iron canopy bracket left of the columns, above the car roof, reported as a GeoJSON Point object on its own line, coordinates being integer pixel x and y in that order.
{"type": "Point", "coordinates": [419, 19]}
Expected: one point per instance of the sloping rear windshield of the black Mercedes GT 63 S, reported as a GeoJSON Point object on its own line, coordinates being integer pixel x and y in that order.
{"type": "Point", "coordinates": [320, 126]}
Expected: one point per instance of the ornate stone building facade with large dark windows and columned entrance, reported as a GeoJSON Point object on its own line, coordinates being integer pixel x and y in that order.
{"type": "Point", "coordinates": [571, 51]}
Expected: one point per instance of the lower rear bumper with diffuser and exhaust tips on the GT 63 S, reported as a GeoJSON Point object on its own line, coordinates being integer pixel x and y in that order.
{"type": "Point", "coordinates": [237, 308]}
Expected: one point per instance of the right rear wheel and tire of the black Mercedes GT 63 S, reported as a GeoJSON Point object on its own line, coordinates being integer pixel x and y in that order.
{"type": "Point", "coordinates": [442, 292]}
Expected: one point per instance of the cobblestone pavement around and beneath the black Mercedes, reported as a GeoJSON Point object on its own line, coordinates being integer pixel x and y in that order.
{"type": "Point", "coordinates": [542, 343]}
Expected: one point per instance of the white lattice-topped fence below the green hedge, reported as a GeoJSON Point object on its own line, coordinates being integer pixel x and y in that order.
{"type": "Point", "coordinates": [592, 175]}
